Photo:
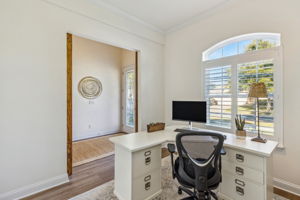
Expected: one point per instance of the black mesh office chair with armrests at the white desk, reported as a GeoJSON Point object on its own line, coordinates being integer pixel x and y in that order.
{"type": "Point", "coordinates": [198, 166]}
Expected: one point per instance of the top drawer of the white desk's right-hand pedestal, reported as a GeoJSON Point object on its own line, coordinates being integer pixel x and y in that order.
{"type": "Point", "coordinates": [245, 159]}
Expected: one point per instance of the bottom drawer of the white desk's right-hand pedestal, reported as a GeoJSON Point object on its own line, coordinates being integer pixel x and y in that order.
{"type": "Point", "coordinates": [240, 189]}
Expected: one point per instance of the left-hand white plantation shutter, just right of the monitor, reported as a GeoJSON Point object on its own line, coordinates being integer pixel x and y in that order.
{"type": "Point", "coordinates": [218, 96]}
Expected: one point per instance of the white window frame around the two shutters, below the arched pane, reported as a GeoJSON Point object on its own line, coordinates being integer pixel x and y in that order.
{"type": "Point", "coordinates": [274, 54]}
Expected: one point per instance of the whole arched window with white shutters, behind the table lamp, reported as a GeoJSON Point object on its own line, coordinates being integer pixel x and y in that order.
{"type": "Point", "coordinates": [229, 69]}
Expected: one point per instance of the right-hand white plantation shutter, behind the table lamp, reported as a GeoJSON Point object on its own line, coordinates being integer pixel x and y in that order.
{"type": "Point", "coordinates": [261, 71]}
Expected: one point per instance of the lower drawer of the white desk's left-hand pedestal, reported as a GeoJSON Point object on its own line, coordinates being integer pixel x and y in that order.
{"type": "Point", "coordinates": [146, 185]}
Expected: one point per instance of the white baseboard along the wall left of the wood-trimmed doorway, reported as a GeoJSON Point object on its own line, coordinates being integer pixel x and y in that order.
{"type": "Point", "coordinates": [34, 188]}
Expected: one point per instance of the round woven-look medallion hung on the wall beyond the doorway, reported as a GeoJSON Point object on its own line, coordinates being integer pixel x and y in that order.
{"type": "Point", "coordinates": [90, 87]}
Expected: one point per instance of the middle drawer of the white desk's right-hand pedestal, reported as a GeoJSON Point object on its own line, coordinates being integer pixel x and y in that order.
{"type": "Point", "coordinates": [243, 172]}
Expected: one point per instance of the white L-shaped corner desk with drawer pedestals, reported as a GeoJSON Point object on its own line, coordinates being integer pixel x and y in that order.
{"type": "Point", "coordinates": [247, 166]}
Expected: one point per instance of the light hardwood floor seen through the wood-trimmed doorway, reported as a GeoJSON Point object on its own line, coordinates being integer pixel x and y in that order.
{"type": "Point", "coordinates": [88, 150]}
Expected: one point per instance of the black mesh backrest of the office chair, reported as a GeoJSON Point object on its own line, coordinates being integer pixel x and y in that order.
{"type": "Point", "coordinates": [202, 150]}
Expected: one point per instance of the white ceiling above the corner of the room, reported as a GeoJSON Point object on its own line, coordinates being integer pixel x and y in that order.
{"type": "Point", "coordinates": [162, 14]}
